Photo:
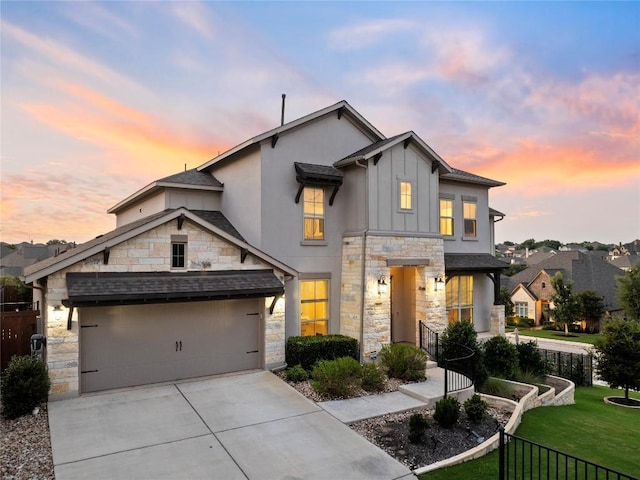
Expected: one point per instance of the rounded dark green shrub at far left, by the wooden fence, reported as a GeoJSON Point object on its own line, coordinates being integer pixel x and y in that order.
{"type": "Point", "coordinates": [24, 385]}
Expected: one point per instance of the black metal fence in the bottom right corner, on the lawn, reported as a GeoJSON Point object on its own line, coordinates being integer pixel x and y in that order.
{"type": "Point", "coordinates": [521, 459]}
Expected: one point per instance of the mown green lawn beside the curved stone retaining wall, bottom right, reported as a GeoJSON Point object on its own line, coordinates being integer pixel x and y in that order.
{"type": "Point", "coordinates": [601, 433]}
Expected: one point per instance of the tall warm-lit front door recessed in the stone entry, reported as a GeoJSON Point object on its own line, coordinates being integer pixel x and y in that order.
{"type": "Point", "coordinates": [403, 305]}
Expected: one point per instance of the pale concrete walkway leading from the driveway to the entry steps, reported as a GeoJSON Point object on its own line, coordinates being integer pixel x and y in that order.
{"type": "Point", "coordinates": [413, 395]}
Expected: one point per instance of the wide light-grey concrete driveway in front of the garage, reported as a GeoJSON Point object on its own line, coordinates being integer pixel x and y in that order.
{"type": "Point", "coordinates": [244, 426]}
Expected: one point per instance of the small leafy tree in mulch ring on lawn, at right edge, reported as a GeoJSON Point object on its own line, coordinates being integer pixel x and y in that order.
{"type": "Point", "coordinates": [618, 355]}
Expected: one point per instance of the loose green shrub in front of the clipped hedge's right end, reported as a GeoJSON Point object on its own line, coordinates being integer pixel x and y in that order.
{"type": "Point", "coordinates": [339, 378]}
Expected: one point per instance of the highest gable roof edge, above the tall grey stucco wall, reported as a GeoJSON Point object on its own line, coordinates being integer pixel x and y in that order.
{"type": "Point", "coordinates": [342, 108]}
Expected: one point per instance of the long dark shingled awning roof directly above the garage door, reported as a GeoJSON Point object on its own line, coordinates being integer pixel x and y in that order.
{"type": "Point", "coordinates": [154, 287]}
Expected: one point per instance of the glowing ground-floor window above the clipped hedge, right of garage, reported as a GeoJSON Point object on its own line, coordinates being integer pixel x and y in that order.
{"type": "Point", "coordinates": [314, 307]}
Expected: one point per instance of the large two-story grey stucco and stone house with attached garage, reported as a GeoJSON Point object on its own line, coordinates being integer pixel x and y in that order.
{"type": "Point", "coordinates": [321, 225]}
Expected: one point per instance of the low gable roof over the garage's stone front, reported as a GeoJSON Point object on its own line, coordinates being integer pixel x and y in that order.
{"type": "Point", "coordinates": [215, 223]}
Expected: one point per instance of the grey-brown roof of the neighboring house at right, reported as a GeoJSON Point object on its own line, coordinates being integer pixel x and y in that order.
{"type": "Point", "coordinates": [587, 272]}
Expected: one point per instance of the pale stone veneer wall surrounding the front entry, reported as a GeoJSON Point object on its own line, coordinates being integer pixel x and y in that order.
{"type": "Point", "coordinates": [430, 304]}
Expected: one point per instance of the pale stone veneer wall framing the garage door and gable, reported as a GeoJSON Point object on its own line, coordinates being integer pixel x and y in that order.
{"type": "Point", "coordinates": [149, 252]}
